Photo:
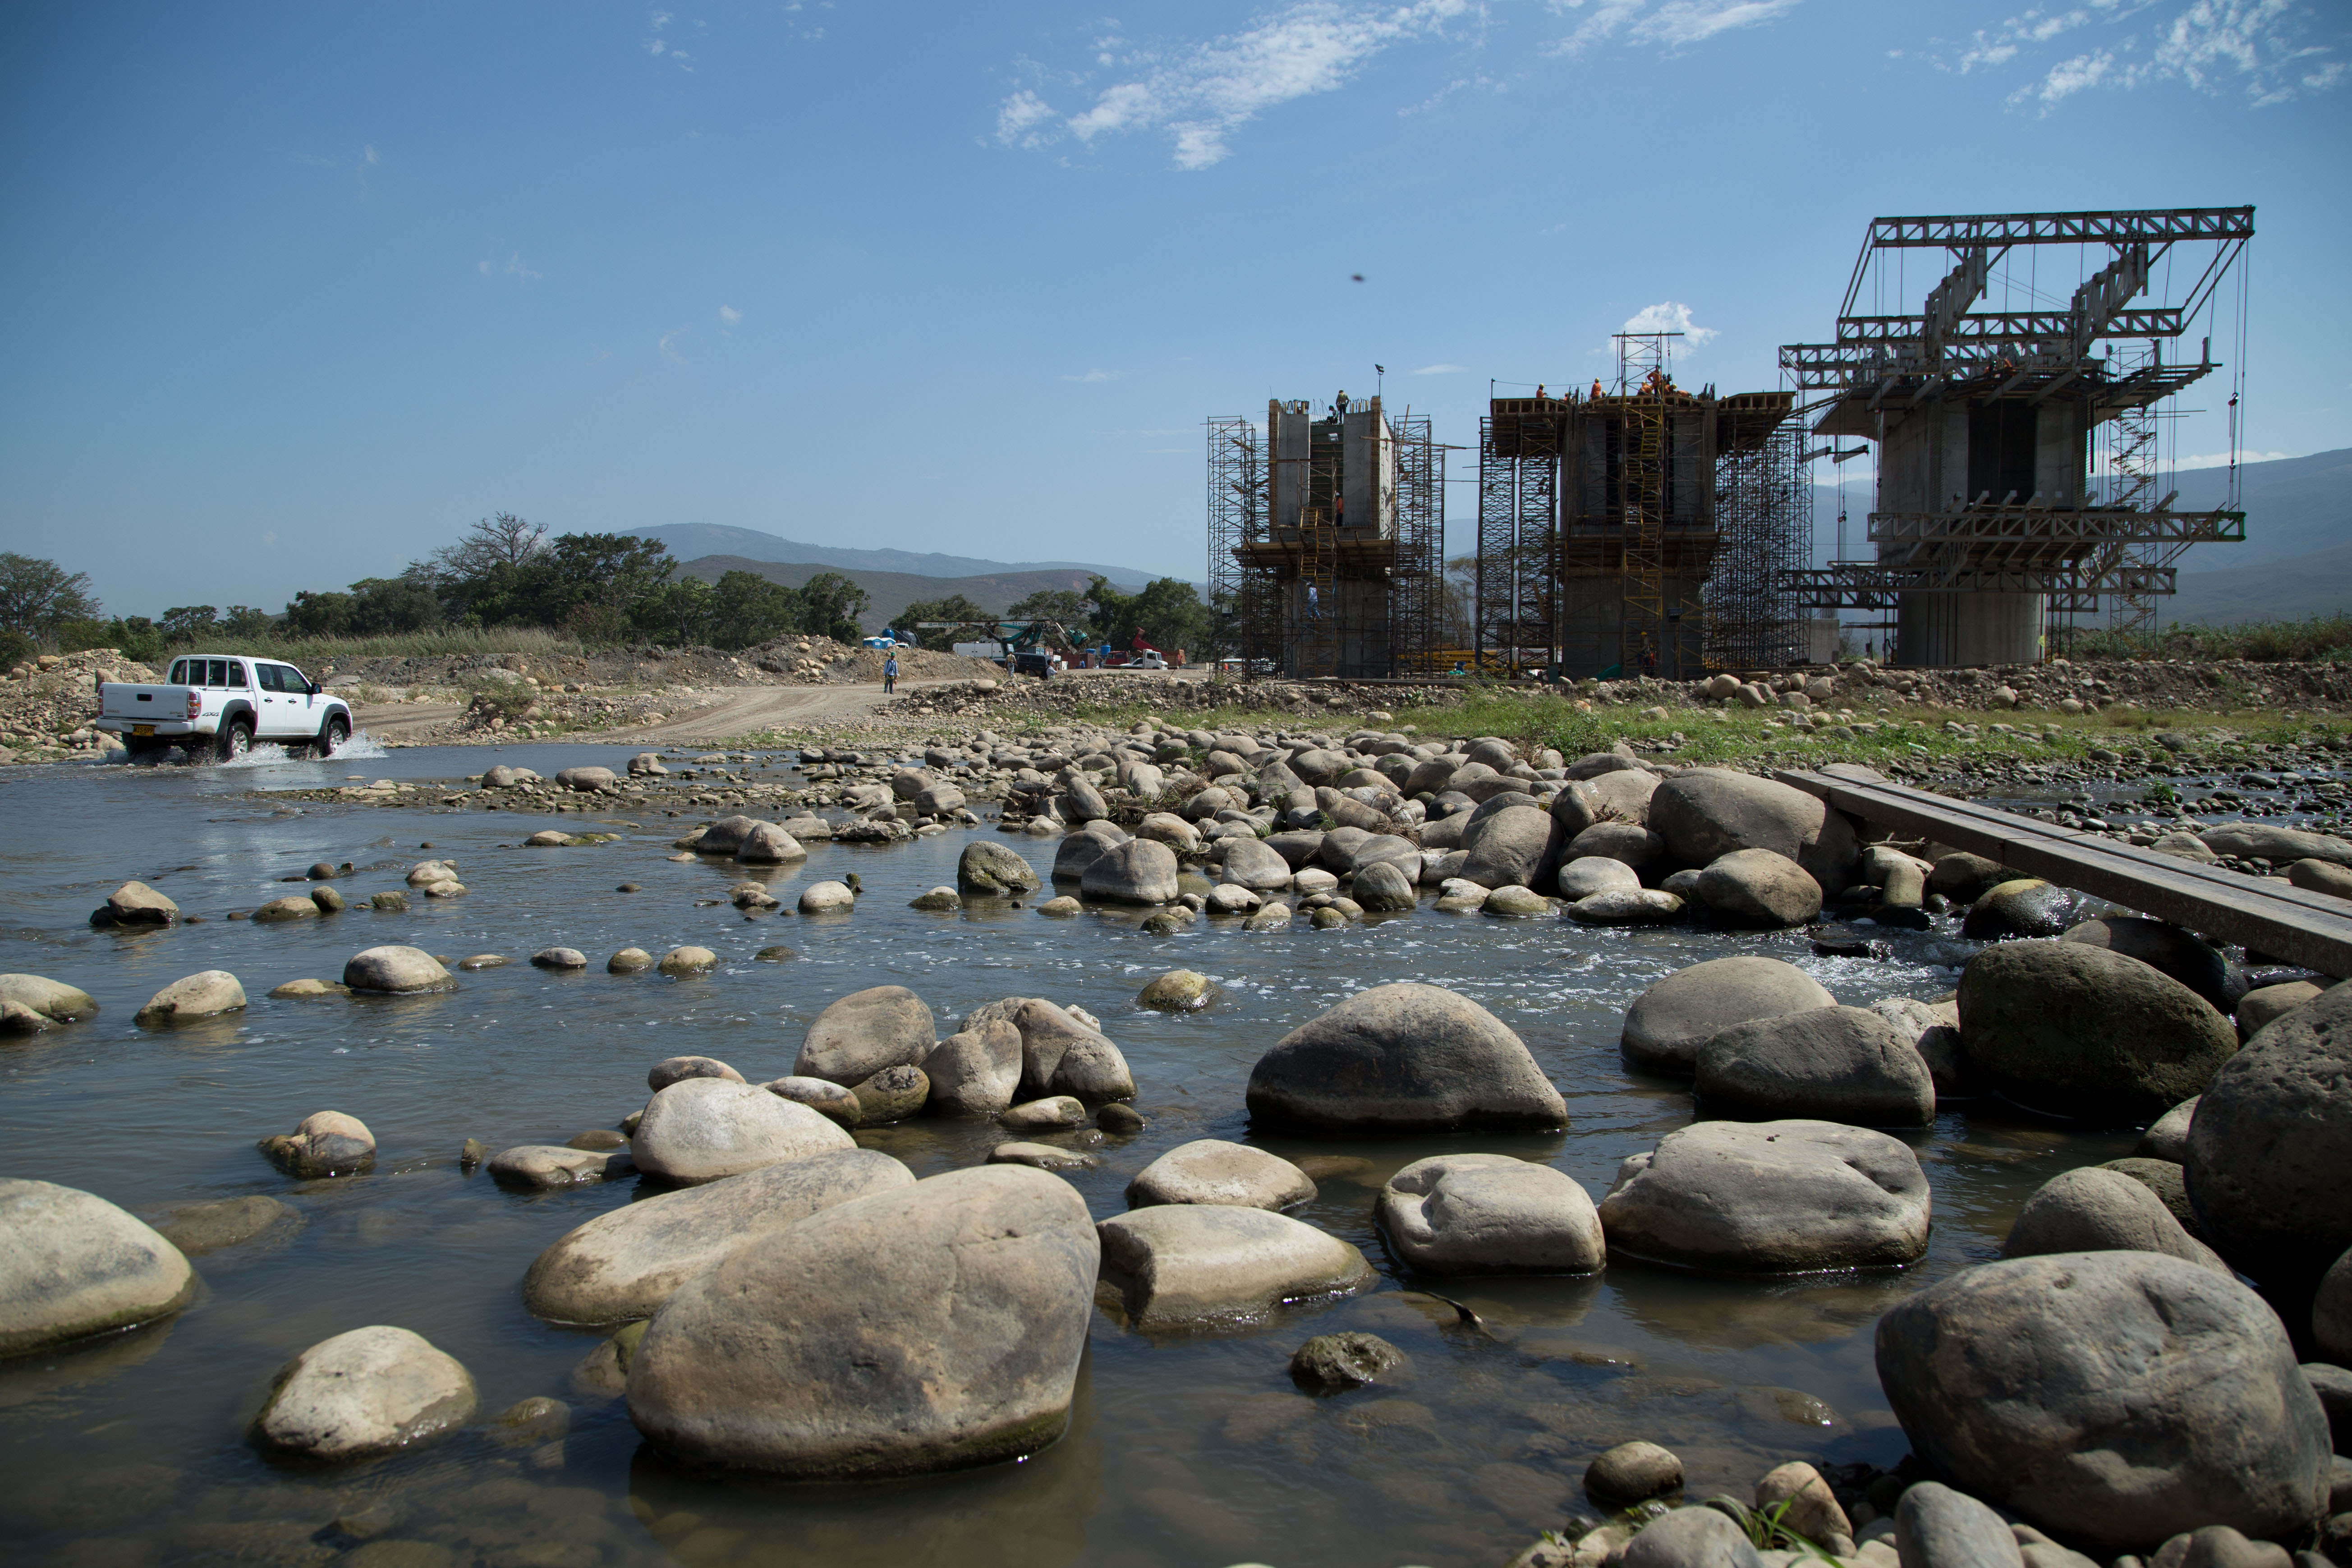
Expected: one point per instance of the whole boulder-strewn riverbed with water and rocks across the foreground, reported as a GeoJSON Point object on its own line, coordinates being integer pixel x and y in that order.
{"type": "Point", "coordinates": [1347, 1087]}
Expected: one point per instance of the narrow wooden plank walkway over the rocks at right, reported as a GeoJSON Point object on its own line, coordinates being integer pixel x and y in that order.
{"type": "Point", "coordinates": [2271, 918]}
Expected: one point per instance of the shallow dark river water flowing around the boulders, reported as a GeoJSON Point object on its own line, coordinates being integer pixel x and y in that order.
{"type": "Point", "coordinates": [1184, 1449]}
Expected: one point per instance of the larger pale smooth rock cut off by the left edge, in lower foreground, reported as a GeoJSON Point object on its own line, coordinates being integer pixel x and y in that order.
{"type": "Point", "coordinates": [74, 1266]}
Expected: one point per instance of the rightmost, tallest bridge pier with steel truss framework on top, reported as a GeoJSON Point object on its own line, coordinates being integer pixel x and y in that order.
{"type": "Point", "coordinates": [1991, 532]}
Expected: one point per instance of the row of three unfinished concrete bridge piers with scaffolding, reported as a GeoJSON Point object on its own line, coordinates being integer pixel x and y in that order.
{"type": "Point", "coordinates": [2019, 417]}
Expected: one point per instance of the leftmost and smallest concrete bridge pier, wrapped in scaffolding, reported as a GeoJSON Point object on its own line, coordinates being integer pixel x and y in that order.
{"type": "Point", "coordinates": [1328, 540]}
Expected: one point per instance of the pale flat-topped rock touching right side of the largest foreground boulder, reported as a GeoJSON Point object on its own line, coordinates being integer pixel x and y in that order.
{"type": "Point", "coordinates": [1189, 1264]}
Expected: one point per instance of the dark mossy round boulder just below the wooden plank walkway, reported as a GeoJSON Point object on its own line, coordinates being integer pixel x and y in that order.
{"type": "Point", "coordinates": [2090, 1033]}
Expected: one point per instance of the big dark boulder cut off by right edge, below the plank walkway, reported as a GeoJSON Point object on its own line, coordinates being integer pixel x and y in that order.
{"type": "Point", "coordinates": [2271, 1146]}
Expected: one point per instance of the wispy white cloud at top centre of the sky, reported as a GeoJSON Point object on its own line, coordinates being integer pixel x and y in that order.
{"type": "Point", "coordinates": [1203, 93]}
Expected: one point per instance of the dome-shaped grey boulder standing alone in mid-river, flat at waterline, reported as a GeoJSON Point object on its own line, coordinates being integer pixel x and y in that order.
{"type": "Point", "coordinates": [1403, 1059]}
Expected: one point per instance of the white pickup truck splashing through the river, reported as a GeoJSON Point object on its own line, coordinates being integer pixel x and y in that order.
{"type": "Point", "coordinates": [225, 706]}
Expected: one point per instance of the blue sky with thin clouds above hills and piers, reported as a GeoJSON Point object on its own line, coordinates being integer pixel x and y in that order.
{"type": "Point", "coordinates": [295, 293]}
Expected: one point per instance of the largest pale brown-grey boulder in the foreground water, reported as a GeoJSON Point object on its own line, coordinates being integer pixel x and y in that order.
{"type": "Point", "coordinates": [935, 1327]}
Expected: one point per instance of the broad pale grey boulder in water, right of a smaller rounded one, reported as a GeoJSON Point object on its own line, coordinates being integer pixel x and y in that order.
{"type": "Point", "coordinates": [1770, 1198]}
